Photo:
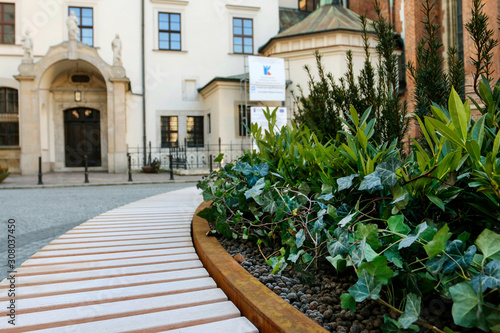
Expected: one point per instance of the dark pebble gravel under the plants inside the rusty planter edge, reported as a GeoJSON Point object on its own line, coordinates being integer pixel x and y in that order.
{"type": "Point", "coordinates": [318, 295]}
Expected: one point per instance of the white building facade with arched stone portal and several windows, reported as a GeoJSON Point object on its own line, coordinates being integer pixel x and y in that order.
{"type": "Point", "coordinates": [165, 73]}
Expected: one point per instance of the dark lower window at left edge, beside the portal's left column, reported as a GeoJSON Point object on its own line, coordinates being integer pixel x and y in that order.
{"type": "Point", "coordinates": [9, 122]}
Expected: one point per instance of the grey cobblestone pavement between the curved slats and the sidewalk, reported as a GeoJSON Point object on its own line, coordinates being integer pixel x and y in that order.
{"type": "Point", "coordinates": [43, 214]}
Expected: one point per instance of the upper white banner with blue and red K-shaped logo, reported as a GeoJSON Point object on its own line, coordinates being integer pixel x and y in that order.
{"type": "Point", "coordinates": [267, 79]}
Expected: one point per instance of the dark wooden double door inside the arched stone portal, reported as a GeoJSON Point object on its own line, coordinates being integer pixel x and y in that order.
{"type": "Point", "coordinates": [82, 133]}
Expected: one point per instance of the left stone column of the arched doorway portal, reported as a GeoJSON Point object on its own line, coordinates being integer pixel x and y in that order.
{"type": "Point", "coordinates": [29, 125]}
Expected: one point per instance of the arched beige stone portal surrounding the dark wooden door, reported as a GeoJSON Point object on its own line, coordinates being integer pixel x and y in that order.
{"type": "Point", "coordinates": [72, 75]}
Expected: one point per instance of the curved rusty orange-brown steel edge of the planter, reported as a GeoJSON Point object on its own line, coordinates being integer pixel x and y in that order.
{"type": "Point", "coordinates": [266, 310]}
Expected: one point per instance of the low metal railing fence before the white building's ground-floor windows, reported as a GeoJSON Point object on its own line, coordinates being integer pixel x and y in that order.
{"type": "Point", "coordinates": [186, 157]}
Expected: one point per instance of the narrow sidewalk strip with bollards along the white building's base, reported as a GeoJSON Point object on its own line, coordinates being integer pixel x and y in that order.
{"type": "Point", "coordinates": [71, 179]}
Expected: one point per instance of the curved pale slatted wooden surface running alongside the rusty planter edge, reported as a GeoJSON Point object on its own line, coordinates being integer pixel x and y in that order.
{"type": "Point", "coordinates": [132, 269]}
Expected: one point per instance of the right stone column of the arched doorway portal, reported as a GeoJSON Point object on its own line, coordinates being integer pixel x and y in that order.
{"type": "Point", "coordinates": [117, 126]}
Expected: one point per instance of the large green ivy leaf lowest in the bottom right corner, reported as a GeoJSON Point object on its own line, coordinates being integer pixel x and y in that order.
{"type": "Point", "coordinates": [467, 306]}
